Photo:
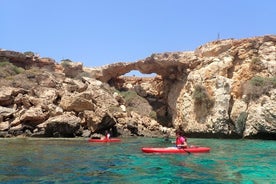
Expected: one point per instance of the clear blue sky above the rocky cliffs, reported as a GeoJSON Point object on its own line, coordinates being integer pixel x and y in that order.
{"type": "Point", "coordinates": [100, 32]}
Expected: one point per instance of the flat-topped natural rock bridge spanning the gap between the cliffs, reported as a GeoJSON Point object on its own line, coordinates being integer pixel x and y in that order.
{"type": "Point", "coordinates": [168, 65]}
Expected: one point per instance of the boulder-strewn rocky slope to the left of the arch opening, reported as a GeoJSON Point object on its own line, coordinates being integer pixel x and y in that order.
{"type": "Point", "coordinates": [41, 99]}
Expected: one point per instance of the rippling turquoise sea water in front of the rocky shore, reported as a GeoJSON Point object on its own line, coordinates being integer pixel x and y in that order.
{"type": "Point", "coordinates": [78, 161]}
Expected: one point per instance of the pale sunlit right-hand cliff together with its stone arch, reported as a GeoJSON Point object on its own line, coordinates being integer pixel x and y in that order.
{"type": "Point", "coordinates": [222, 68]}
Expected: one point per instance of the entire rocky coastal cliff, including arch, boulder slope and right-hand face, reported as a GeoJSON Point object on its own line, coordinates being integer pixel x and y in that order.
{"type": "Point", "coordinates": [224, 88]}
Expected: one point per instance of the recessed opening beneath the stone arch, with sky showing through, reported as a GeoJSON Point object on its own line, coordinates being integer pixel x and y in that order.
{"type": "Point", "coordinates": [145, 94]}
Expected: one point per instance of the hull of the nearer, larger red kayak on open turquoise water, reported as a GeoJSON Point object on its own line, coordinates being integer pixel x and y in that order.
{"type": "Point", "coordinates": [193, 149]}
